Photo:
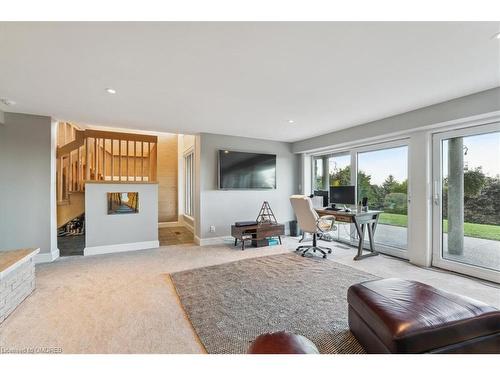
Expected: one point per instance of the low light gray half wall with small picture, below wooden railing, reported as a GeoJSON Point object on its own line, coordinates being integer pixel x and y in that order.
{"type": "Point", "coordinates": [113, 233]}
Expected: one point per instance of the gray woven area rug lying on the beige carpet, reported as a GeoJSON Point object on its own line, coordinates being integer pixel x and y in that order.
{"type": "Point", "coordinates": [230, 304]}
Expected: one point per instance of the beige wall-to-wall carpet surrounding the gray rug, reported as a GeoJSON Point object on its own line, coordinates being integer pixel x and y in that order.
{"type": "Point", "coordinates": [123, 303]}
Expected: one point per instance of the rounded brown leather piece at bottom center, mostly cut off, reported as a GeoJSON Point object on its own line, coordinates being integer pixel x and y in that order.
{"type": "Point", "coordinates": [282, 343]}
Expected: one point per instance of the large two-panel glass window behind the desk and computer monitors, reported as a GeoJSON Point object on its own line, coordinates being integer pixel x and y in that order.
{"type": "Point", "coordinates": [381, 175]}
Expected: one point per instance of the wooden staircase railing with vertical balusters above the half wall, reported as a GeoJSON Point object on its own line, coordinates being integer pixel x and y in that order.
{"type": "Point", "coordinates": [94, 155]}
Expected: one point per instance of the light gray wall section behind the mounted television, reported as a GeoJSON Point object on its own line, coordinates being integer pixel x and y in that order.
{"type": "Point", "coordinates": [223, 207]}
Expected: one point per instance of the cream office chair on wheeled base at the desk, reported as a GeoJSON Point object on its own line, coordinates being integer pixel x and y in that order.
{"type": "Point", "coordinates": [309, 221]}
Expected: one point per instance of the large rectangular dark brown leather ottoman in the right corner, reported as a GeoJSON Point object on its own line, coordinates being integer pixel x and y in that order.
{"type": "Point", "coordinates": [403, 316]}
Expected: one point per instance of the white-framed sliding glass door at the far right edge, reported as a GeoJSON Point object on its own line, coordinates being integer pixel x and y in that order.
{"type": "Point", "coordinates": [466, 201]}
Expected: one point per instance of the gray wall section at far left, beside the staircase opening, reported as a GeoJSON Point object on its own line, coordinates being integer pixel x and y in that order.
{"type": "Point", "coordinates": [27, 196]}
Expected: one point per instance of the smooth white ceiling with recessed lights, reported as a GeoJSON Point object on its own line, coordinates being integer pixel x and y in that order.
{"type": "Point", "coordinates": [245, 79]}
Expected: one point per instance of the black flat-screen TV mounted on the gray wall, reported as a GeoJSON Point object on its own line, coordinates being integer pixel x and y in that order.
{"type": "Point", "coordinates": [246, 170]}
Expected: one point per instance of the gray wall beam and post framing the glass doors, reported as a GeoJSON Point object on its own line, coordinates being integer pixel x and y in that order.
{"type": "Point", "coordinates": [416, 126]}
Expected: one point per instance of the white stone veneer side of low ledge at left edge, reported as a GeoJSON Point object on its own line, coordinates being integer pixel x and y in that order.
{"type": "Point", "coordinates": [16, 286]}
